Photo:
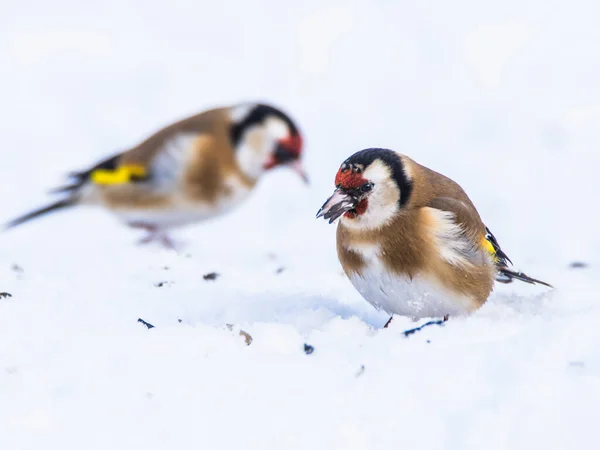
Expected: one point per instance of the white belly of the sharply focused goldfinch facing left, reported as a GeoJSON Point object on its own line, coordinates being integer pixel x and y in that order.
{"type": "Point", "coordinates": [419, 297]}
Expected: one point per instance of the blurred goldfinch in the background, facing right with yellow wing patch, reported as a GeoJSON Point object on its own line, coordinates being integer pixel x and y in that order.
{"type": "Point", "coordinates": [192, 170]}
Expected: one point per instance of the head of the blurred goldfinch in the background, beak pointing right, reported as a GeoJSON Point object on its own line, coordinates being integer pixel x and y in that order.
{"type": "Point", "coordinates": [264, 137]}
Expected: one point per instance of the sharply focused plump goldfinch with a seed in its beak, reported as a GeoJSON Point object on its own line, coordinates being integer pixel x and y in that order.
{"type": "Point", "coordinates": [410, 240]}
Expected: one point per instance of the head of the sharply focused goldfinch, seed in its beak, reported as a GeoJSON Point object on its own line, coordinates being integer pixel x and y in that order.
{"type": "Point", "coordinates": [372, 186]}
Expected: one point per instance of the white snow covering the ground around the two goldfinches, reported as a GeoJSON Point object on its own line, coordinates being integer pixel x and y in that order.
{"type": "Point", "coordinates": [502, 97]}
